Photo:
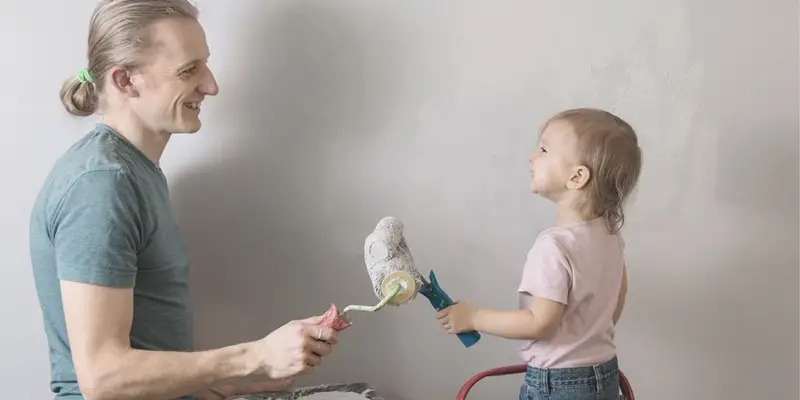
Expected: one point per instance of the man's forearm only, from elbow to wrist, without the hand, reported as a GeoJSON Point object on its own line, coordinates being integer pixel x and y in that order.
{"type": "Point", "coordinates": [139, 374]}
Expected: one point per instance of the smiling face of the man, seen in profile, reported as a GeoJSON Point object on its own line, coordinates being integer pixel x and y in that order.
{"type": "Point", "coordinates": [173, 84]}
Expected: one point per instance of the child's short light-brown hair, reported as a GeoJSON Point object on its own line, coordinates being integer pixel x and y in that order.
{"type": "Point", "coordinates": [609, 148]}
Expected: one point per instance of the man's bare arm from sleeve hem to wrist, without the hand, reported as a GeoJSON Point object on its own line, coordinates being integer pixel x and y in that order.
{"type": "Point", "coordinates": [98, 323]}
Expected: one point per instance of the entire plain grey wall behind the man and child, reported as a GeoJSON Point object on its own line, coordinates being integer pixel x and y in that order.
{"type": "Point", "coordinates": [333, 114]}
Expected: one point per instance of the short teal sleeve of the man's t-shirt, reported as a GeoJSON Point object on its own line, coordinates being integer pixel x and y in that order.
{"type": "Point", "coordinates": [96, 231]}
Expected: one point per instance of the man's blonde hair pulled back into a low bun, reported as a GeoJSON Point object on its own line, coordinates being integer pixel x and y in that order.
{"type": "Point", "coordinates": [116, 38]}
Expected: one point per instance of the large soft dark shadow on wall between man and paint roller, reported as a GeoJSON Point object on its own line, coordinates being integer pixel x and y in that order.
{"type": "Point", "coordinates": [263, 226]}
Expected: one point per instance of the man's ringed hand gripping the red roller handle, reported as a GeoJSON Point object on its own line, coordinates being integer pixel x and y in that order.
{"type": "Point", "coordinates": [294, 348]}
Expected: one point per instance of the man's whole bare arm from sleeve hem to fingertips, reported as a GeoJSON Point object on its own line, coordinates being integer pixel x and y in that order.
{"type": "Point", "coordinates": [99, 321]}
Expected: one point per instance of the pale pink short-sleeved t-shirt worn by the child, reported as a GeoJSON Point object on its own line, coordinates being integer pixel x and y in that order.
{"type": "Point", "coordinates": [581, 266]}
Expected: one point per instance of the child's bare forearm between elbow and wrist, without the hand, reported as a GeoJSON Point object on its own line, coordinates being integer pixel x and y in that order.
{"type": "Point", "coordinates": [515, 325]}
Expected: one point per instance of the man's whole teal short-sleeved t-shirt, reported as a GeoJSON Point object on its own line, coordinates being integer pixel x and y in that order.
{"type": "Point", "coordinates": [104, 217]}
